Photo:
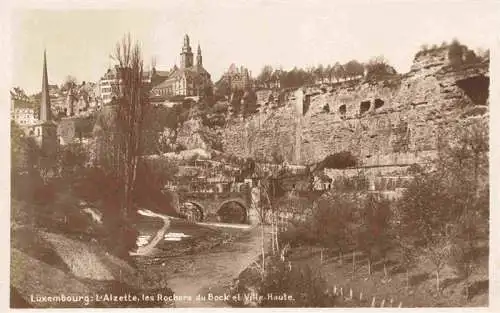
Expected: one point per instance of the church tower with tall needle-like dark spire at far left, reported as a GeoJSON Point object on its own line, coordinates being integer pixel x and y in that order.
{"type": "Point", "coordinates": [45, 131]}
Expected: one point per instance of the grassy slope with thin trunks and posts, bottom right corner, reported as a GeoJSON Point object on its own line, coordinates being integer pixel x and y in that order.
{"type": "Point", "coordinates": [422, 292]}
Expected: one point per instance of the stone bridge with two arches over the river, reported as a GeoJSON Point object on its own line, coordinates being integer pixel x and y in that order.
{"type": "Point", "coordinates": [204, 206]}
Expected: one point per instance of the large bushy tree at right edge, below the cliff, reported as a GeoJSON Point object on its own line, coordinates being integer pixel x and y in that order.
{"type": "Point", "coordinates": [439, 212]}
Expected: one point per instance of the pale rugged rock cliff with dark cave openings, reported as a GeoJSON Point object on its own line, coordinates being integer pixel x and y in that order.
{"type": "Point", "coordinates": [396, 121]}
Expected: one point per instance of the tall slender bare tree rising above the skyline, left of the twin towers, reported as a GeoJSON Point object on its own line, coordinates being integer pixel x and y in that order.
{"type": "Point", "coordinates": [132, 103]}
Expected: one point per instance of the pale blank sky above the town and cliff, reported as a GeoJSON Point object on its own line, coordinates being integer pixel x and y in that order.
{"type": "Point", "coordinates": [288, 33]}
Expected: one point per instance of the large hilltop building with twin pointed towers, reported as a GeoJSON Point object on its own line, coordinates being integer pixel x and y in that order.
{"type": "Point", "coordinates": [190, 79]}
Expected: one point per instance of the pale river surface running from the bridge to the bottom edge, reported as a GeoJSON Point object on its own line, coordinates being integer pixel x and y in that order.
{"type": "Point", "coordinates": [213, 272]}
